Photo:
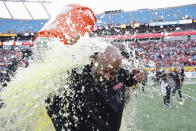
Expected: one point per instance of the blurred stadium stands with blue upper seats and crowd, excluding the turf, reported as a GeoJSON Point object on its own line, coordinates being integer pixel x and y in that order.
{"type": "Point", "coordinates": [165, 36]}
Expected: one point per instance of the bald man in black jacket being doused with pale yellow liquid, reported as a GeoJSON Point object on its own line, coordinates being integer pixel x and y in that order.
{"type": "Point", "coordinates": [96, 97]}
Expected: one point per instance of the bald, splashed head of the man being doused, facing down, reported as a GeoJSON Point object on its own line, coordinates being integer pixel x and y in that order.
{"type": "Point", "coordinates": [105, 65]}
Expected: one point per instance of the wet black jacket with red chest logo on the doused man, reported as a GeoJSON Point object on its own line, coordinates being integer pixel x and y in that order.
{"type": "Point", "coordinates": [89, 106]}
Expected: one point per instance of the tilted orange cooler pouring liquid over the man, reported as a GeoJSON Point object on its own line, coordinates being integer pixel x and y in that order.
{"type": "Point", "coordinates": [74, 21]}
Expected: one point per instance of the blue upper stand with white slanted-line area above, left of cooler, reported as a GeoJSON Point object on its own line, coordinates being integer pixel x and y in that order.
{"type": "Point", "coordinates": [27, 21]}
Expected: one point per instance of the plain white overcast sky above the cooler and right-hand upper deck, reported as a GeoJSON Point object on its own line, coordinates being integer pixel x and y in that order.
{"type": "Point", "coordinates": [99, 6]}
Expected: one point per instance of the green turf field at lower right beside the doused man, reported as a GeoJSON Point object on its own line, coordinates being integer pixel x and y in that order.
{"type": "Point", "coordinates": [145, 112]}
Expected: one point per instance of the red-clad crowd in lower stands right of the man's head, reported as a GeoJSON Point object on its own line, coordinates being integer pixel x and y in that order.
{"type": "Point", "coordinates": [169, 53]}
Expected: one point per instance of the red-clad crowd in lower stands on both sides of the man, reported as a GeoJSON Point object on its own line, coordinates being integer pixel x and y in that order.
{"type": "Point", "coordinates": [164, 54]}
